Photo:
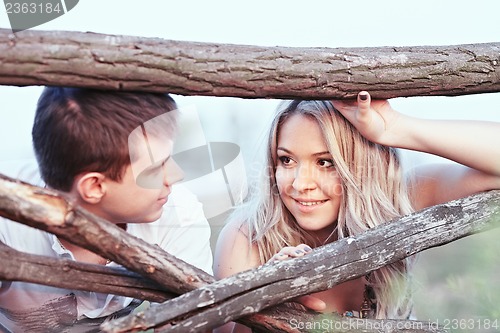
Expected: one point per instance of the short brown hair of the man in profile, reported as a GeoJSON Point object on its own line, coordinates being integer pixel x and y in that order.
{"type": "Point", "coordinates": [85, 130]}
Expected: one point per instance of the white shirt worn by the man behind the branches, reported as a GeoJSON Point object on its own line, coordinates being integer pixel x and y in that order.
{"type": "Point", "coordinates": [182, 231]}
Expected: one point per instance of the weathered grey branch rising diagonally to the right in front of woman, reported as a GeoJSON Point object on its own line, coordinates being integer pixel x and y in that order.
{"type": "Point", "coordinates": [252, 291]}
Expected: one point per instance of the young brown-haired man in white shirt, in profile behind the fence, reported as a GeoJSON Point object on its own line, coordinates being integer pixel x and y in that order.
{"type": "Point", "coordinates": [111, 152]}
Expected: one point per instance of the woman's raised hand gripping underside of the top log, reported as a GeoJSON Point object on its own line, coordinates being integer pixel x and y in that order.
{"type": "Point", "coordinates": [376, 120]}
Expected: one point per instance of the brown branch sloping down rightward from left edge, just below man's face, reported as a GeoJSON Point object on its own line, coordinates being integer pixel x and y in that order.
{"type": "Point", "coordinates": [54, 212]}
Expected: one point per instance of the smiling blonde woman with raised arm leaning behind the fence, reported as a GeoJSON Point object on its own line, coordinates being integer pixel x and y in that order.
{"type": "Point", "coordinates": [333, 171]}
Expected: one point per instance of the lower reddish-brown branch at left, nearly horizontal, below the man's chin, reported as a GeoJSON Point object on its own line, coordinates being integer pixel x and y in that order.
{"type": "Point", "coordinates": [69, 274]}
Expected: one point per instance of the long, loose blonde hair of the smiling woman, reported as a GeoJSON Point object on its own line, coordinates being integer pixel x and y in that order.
{"type": "Point", "coordinates": [374, 192]}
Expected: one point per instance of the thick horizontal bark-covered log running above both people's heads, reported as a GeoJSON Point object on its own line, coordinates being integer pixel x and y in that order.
{"type": "Point", "coordinates": [115, 62]}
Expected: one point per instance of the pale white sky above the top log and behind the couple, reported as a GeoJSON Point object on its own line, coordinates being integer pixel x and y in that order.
{"type": "Point", "coordinates": [310, 23]}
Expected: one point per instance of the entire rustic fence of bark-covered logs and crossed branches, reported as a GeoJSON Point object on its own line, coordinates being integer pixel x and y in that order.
{"type": "Point", "coordinates": [129, 63]}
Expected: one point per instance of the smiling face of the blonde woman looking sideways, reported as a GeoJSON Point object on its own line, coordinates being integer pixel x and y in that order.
{"type": "Point", "coordinates": [308, 183]}
